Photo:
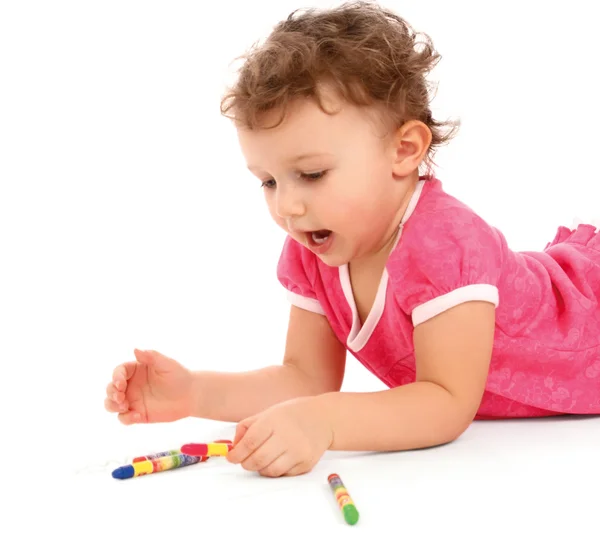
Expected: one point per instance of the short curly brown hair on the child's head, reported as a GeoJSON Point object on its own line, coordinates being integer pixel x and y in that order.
{"type": "Point", "coordinates": [370, 55]}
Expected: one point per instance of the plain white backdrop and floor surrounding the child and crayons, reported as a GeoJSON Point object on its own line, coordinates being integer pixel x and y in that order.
{"type": "Point", "coordinates": [128, 219]}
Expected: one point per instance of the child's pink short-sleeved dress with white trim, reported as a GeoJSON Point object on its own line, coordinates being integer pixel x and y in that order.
{"type": "Point", "coordinates": [546, 355]}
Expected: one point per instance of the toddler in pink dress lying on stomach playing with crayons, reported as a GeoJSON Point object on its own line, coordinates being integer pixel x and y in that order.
{"type": "Point", "coordinates": [332, 115]}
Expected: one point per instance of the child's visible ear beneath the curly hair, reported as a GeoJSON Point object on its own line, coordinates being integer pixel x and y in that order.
{"type": "Point", "coordinates": [409, 147]}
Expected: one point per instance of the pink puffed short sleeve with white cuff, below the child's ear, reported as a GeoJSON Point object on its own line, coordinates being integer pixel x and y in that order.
{"type": "Point", "coordinates": [444, 259]}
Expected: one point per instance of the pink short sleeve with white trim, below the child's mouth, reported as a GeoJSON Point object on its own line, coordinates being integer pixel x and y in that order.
{"type": "Point", "coordinates": [296, 271]}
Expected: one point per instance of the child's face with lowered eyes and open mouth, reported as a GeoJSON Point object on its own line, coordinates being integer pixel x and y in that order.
{"type": "Point", "coordinates": [328, 180]}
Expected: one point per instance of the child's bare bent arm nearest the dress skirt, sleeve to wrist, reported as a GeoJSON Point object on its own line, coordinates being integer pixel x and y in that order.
{"type": "Point", "coordinates": [453, 352]}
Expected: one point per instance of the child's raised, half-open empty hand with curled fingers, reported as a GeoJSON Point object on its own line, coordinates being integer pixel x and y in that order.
{"type": "Point", "coordinates": [154, 388]}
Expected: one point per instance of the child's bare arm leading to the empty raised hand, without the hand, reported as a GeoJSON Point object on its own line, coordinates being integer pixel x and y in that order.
{"type": "Point", "coordinates": [313, 364]}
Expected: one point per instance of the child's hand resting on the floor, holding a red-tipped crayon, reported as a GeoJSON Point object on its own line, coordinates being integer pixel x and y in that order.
{"type": "Point", "coordinates": [284, 440]}
